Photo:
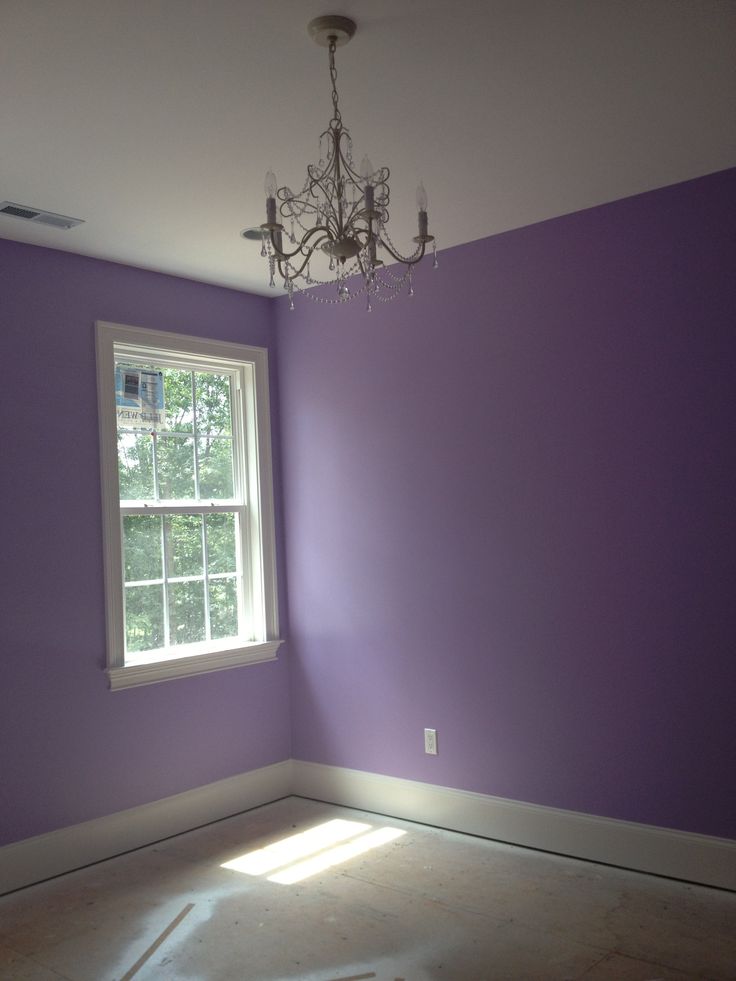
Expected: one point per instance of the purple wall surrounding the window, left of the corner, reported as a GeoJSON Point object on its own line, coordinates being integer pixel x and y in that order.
{"type": "Point", "coordinates": [70, 749]}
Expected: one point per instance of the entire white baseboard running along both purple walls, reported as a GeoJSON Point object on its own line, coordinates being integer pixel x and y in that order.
{"type": "Point", "coordinates": [677, 854]}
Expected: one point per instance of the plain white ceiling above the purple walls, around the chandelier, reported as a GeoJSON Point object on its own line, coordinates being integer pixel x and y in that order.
{"type": "Point", "coordinates": [155, 120]}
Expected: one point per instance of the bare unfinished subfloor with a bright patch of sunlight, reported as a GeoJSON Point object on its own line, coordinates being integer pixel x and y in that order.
{"type": "Point", "coordinates": [398, 901]}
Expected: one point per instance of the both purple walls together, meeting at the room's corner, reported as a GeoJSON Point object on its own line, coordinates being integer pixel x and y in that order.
{"type": "Point", "coordinates": [509, 510]}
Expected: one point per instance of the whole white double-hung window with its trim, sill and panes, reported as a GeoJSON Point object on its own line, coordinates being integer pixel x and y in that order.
{"type": "Point", "coordinates": [188, 504]}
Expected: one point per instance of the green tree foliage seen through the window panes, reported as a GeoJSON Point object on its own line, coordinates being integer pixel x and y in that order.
{"type": "Point", "coordinates": [193, 453]}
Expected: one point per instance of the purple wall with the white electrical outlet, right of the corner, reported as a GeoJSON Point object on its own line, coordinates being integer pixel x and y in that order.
{"type": "Point", "coordinates": [509, 515]}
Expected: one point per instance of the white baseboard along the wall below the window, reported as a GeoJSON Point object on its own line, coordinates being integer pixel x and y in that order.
{"type": "Point", "coordinates": [33, 859]}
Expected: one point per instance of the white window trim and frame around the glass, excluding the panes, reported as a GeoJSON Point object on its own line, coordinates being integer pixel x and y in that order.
{"type": "Point", "coordinates": [262, 560]}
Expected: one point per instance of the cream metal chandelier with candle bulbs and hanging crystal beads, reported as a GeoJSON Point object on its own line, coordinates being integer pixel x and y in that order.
{"type": "Point", "coordinates": [337, 221]}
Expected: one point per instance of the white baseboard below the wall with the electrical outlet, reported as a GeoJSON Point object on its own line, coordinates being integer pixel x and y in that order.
{"type": "Point", "coordinates": [645, 848]}
